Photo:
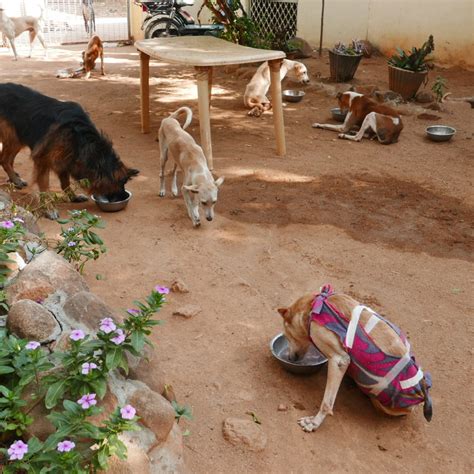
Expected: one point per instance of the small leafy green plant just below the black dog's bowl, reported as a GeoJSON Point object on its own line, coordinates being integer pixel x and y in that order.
{"type": "Point", "coordinates": [80, 244]}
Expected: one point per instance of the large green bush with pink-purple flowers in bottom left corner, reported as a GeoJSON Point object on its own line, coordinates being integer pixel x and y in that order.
{"type": "Point", "coordinates": [78, 379]}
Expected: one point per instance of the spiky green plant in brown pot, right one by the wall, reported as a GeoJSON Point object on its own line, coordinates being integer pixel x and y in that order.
{"type": "Point", "coordinates": [407, 71]}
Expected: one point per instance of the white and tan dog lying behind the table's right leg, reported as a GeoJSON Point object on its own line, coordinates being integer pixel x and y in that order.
{"type": "Point", "coordinates": [255, 97]}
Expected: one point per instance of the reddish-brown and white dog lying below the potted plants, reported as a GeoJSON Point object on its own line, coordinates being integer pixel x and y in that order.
{"type": "Point", "coordinates": [372, 117]}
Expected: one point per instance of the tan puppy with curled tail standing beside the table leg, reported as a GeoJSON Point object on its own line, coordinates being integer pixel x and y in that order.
{"type": "Point", "coordinates": [199, 187]}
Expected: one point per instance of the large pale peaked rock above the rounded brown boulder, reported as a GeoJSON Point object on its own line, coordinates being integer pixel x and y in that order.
{"type": "Point", "coordinates": [47, 270]}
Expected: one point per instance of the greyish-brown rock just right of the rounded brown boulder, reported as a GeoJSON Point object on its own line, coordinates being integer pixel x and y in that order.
{"type": "Point", "coordinates": [87, 308]}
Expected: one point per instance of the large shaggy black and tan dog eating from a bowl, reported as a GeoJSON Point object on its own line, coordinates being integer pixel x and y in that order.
{"type": "Point", "coordinates": [62, 138]}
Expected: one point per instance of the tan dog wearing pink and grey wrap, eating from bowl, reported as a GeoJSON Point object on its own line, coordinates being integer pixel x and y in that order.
{"type": "Point", "coordinates": [374, 352]}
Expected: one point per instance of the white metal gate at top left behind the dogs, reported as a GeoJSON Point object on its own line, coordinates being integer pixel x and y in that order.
{"type": "Point", "coordinates": [63, 22]}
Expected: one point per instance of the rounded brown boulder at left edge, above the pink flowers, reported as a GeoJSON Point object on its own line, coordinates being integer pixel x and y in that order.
{"type": "Point", "coordinates": [29, 320]}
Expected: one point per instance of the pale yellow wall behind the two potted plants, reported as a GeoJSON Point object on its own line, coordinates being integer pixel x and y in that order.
{"type": "Point", "coordinates": [391, 23]}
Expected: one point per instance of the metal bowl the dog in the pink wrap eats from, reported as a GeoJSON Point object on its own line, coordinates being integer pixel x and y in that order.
{"type": "Point", "coordinates": [309, 364]}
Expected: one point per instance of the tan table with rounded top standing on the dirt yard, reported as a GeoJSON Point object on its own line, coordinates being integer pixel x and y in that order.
{"type": "Point", "coordinates": [203, 53]}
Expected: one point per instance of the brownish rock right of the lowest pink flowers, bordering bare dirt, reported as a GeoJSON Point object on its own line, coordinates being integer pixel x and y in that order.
{"type": "Point", "coordinates": [155, 412]}
